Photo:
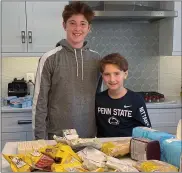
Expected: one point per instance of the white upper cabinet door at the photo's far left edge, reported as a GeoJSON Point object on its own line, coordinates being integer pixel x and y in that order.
{"type": "Point", "coordinates": [13, 27]}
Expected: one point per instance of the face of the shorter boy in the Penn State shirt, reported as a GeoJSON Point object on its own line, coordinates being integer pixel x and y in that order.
{"type": "Point", "coordinates": [114, 77]}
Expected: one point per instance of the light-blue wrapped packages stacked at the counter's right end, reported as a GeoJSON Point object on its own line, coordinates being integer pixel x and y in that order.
{"type": "Point", "coordinates": [169, 147]}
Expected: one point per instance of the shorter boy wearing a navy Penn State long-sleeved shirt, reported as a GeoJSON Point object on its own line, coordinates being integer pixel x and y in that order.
{"type": "Point", "coordinates": [118, 110]}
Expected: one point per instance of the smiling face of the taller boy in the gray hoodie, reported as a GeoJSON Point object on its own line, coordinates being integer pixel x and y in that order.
{"type": "Point", "coordinates": [77, 28]}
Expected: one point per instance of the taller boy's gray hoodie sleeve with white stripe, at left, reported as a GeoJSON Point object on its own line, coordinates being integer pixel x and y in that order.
{"type": "Point", "coordinates": [40, 100]}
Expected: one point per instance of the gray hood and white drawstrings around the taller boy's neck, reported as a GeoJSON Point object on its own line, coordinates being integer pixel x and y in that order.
{"type": "Point", "coordinates": [64, 43]}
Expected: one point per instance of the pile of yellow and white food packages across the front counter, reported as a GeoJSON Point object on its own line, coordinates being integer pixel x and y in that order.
{"type": "Point", "coordinates": [73, 154]}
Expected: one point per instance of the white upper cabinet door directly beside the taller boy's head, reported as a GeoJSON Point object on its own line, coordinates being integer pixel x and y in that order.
{"type": "Point", "coordinates": [44, 25]}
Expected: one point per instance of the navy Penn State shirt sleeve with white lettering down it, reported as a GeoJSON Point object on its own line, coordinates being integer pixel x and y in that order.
{"type": "Point", "coordinates": [142, 113]}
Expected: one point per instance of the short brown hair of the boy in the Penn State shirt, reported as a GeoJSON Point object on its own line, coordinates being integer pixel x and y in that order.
{"type": "Point", "coordinates": [115, 59]}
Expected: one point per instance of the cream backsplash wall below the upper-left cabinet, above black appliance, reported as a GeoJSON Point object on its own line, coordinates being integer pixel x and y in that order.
{"type": "Point", "coordinates": [16, 67]}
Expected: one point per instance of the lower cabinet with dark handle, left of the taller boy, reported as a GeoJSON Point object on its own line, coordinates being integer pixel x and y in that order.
{"type": "Point", "coordinates": [16, 126]}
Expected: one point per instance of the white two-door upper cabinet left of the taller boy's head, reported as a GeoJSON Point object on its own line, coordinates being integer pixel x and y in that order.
{"type": "Point", "coordinates": [31, 27]}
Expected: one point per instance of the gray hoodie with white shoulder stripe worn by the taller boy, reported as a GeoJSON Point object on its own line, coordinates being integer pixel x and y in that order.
{"type": "Point", "coordinates": [65, 88]}
